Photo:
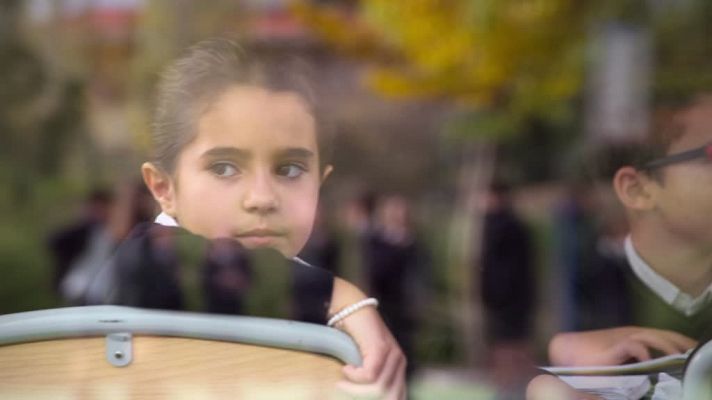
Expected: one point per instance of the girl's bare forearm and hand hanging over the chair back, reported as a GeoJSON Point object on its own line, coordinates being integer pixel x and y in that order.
{"type": "Point", "coordinates": [382, 374]}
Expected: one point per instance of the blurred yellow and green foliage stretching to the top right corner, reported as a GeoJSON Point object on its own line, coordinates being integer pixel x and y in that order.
{"type": "Point", "coordinates": [510, 61]}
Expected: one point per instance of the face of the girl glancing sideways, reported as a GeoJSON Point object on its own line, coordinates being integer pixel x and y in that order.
{"type": "Point", "coordinates": [251, 173]}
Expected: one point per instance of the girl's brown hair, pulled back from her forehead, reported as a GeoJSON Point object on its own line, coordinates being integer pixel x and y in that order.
{"type": "Point", "coordinates": [192, 83]}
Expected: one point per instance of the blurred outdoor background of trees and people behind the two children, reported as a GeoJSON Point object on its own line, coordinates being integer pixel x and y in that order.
{"type": "Point", "coordinates": [461, 128]}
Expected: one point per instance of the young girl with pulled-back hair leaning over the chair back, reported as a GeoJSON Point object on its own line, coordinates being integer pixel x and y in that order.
{"type": "Point", "coordinates": [238, 159]}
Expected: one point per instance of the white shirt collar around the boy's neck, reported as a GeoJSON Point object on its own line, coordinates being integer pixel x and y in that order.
{"type": "Point", "coordinates": [667, 291]}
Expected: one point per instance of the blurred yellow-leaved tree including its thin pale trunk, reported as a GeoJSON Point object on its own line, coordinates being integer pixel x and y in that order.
{"type": "Point", "coordinates": [503, 64]}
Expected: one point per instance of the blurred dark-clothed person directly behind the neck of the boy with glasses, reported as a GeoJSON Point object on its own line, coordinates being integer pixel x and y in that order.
{"type": "Point", "coordinates": [589, 233]}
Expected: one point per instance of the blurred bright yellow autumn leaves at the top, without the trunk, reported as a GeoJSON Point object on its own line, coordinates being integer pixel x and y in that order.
{"type": "Point", "coordinates": [506, 61]}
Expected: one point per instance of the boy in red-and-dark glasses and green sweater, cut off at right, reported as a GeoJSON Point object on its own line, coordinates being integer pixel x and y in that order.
{"type": "Point", "coordinates": [665, 186]}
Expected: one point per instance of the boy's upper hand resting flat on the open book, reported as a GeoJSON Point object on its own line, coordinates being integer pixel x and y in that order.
{"type": "Point", "coordinates": [614, 346]}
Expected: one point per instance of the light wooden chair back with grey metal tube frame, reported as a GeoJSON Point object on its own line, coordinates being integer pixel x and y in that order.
{"type": "Point", "coordinates": [109, 352]}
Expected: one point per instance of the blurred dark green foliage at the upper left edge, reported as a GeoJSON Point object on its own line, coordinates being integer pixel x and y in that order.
{"type": "Point", "coordinates": [39, 124]}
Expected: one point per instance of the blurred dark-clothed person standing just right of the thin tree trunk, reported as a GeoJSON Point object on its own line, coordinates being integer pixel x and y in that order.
{"type": "Point", "coordinates": [508, 290]}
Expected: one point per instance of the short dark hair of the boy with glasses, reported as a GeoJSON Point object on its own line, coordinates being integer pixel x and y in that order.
{"type": "Point", "coordinates": [666, 129]}
